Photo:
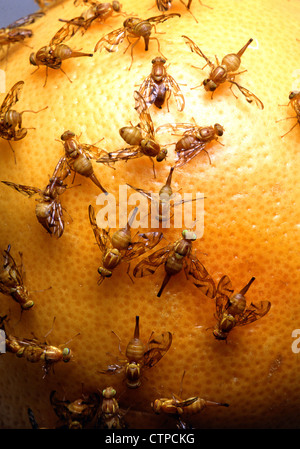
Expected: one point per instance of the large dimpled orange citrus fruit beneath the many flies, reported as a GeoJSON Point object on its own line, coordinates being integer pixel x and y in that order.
{"type": "Point", "coordinates": [251, 219]}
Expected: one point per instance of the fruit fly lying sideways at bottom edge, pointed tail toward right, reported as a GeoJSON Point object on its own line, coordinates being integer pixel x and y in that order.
{"type": "Point", "coordinates": [178, 407]}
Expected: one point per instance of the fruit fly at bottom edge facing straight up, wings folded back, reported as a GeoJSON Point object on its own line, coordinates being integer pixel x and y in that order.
{"type": "Point", "coordinates": [111, 416]}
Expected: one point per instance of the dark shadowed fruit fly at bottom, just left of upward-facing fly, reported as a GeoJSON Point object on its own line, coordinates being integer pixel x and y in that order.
{"type": "Point", "coordinates": [76, 414]}
